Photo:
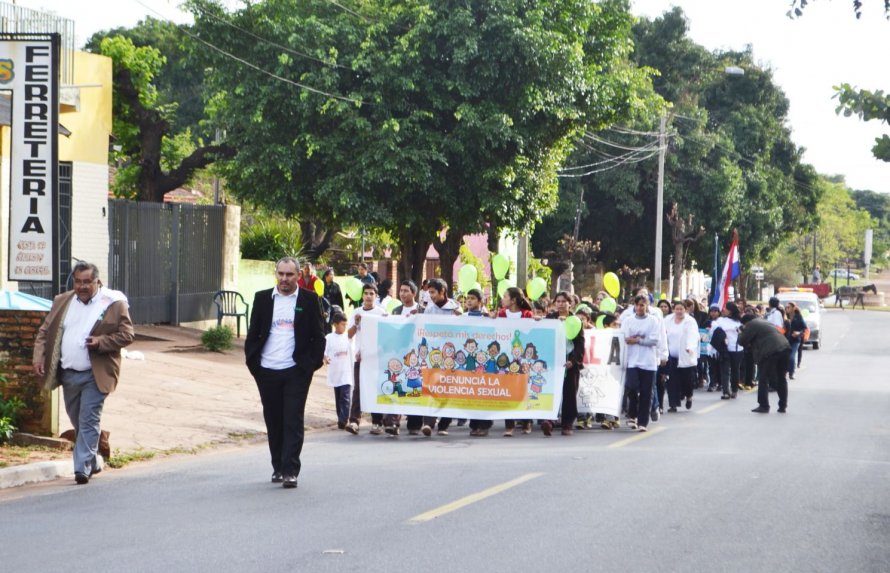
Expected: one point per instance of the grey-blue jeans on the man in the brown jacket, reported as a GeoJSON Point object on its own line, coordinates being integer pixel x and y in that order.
{"type": "Point", "coordinates": [83, 402]}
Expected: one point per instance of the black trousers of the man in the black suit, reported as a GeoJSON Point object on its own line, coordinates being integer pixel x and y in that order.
{"type": "Point", "coordinates": [283, 394]}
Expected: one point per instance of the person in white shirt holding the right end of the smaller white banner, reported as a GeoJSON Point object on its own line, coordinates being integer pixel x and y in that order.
{"type": "Point", "coordinates": [642, 332]}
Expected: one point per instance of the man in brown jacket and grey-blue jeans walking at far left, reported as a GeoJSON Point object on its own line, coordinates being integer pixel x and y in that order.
{"type": "Point", "coordinates": [78, 347]}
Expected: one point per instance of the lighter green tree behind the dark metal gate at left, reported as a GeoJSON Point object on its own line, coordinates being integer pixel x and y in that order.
{"type": "Point", "coordinates": [155, 157]}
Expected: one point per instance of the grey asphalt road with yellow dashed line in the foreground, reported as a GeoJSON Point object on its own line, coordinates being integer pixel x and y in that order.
{"type": "Point", "coordinates": [715, 489]}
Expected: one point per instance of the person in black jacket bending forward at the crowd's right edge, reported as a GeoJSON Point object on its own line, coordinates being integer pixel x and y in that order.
{"type": "Point", "coordinates": [771, 352]}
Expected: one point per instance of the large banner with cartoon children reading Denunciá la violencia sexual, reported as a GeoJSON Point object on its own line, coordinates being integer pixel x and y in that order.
{"type": "Point", "coordinates": [462, 367]}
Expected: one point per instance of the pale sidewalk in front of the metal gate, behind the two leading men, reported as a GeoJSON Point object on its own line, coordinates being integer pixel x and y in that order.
{"type": "Point", "coordinates": [182, 398]}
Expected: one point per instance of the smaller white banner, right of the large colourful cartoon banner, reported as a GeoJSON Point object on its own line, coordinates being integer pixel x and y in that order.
{"type": "Point", "coordinates": [601, 387]}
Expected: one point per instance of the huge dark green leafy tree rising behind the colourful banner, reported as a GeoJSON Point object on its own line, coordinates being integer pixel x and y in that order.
{"type": "Point", "coordinates": [448, 114]}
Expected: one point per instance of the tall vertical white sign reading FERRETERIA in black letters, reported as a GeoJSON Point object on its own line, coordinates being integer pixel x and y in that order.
{"type": "Point", "coordinates": [29, 68]}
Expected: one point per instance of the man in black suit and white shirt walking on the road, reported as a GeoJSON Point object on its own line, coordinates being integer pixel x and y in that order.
{"type": "Point", "coordinates": [284, 347]}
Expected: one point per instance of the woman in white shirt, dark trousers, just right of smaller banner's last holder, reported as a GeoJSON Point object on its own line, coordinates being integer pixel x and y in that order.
{"type": "Point", "coordinates": [683, 341]}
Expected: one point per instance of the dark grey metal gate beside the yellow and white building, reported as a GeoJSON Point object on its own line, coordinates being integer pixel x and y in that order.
{"type": "Point", "coordinates": [167, 258]}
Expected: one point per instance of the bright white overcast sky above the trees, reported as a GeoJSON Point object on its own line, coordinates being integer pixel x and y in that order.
{"type": "Point", "coordinates": [808, 56]}
